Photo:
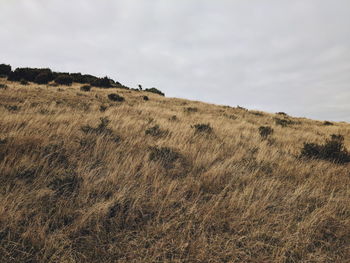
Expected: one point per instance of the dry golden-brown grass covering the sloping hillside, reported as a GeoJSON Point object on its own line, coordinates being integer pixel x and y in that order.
{"type": "Point", "coordinates": [74, 188]}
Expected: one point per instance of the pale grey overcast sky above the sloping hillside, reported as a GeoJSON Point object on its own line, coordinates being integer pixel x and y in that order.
{"type": "Point", "coordinates": [269, 55]}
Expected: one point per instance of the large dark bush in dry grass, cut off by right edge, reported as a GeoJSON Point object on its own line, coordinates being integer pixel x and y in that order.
{"type": "Point", "coordinates": [332, 150]}
